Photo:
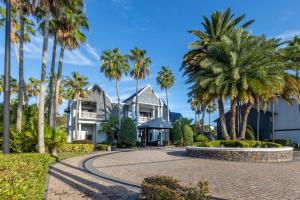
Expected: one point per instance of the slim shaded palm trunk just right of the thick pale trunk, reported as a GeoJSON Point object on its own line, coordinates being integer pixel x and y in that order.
{"type": "Point", "coordinates": [51, 85]}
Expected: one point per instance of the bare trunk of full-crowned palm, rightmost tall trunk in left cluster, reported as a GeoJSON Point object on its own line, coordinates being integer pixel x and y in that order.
{"type": "Point", "coordinates": [57, 86]}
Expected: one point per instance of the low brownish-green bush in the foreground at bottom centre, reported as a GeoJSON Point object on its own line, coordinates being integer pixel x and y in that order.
{"type": "Point", "coordinates": [168, 188]}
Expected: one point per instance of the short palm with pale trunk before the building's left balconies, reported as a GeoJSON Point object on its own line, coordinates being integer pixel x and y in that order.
{"type": "Point", "coordinates": [75, 90]}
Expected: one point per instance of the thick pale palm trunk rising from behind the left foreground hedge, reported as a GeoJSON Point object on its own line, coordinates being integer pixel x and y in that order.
{"type": "Point", "coordinates": [41, 140]}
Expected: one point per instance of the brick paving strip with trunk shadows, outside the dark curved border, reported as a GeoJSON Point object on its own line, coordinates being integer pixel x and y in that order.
{"type": "Point", "coordinates": [67, 181]}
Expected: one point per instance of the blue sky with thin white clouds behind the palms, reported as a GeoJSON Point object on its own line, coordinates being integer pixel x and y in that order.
{"type": "Point", "coordinates": [160, 27]}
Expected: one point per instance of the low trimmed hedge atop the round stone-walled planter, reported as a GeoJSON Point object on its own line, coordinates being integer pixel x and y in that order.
{"type": "Point", "coordinates": [238, 143]}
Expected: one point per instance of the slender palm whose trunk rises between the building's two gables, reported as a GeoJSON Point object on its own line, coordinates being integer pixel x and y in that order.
{"type": "Point", "coordinates": [114, 66]}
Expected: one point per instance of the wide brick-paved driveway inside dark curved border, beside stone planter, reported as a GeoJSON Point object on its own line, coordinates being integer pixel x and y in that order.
{"type": "Point", "coordinates": [228, 180]}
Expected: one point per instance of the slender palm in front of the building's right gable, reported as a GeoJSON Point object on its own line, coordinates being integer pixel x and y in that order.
{"type": "Point", "coordinates": [140, 70]}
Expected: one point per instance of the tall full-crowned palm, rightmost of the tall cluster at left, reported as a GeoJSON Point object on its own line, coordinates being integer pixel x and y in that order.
{"type": "Point", "coordinates": [70, 39]}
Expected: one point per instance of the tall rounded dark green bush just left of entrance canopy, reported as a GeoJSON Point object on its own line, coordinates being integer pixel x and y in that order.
{"type": "Point", "coordinates": [127, 132]}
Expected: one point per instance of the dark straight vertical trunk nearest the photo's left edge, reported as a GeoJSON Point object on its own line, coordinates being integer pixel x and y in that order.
{"type": "Point", "coordinates": [6, 106]}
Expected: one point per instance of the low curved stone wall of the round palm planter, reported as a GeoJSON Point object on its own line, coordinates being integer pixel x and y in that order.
{"type": "Point", "coordinates": [243, 154]}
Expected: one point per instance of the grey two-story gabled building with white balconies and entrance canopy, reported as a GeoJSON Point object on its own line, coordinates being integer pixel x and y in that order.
{"type": "Point", "coordinates": [97, 107]}
